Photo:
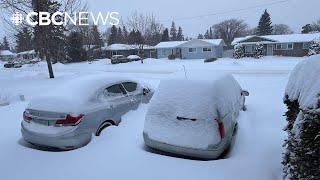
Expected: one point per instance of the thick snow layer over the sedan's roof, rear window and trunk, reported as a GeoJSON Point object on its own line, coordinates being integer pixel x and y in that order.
{"type": "Point", "coordinates": [74, 95]}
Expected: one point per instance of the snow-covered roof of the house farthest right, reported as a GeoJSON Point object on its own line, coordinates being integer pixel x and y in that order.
{"type": "Point", "coordinates": [288, 38]}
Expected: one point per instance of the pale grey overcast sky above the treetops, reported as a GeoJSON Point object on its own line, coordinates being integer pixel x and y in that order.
{"type": "Point", "coordinates": [295, 13]}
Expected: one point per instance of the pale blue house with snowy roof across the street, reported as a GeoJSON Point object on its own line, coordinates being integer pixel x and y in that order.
{"type": "Point", "coordinates": [193, 49]}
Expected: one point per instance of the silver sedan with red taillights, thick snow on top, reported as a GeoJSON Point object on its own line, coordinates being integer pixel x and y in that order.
{"type": "Point", "coordinates": [67, 117]}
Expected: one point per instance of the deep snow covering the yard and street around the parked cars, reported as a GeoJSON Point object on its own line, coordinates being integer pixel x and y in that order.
{"type": "Point", "coordinates": [119, 152]}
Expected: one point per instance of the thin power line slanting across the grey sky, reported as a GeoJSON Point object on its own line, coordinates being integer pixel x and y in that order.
{"type": "Point", "coordinates": [227, 12]}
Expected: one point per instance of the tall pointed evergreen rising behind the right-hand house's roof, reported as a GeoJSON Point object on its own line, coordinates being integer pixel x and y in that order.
{"type": "Point", "coordinates": [265, 24]}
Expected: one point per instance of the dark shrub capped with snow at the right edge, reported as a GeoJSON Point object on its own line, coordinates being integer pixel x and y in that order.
{"type": "Point", "coordinates": [302, 156]}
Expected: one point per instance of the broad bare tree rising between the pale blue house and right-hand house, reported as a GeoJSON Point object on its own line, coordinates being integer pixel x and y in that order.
{"type": "Point", "coordinates": [230, 29]}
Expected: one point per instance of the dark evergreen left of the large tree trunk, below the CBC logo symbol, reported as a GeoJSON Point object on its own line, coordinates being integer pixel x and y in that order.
{"type": "Point", "coordinates": [24, 40]}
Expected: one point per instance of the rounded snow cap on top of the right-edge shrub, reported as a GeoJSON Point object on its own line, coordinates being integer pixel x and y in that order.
{"type": "Point", "coordinates": [304, 83]}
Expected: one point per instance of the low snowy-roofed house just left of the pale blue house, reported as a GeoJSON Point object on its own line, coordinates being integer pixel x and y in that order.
{"type": "Point", "coordinates": [127, 50]}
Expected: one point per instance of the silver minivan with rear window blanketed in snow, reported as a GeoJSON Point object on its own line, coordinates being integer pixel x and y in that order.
{"type": "Point", "coordinates": [194, 118]}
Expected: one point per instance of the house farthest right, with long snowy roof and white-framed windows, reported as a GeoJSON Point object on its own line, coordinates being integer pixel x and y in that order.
{"type": "Point", "coordinates": [296, 45]}
